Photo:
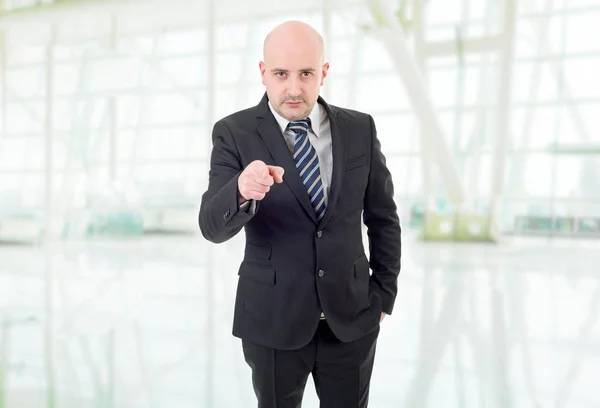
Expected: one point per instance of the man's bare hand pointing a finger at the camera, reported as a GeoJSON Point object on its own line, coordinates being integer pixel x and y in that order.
{"type": "Point", "coordinates": [256, 180]}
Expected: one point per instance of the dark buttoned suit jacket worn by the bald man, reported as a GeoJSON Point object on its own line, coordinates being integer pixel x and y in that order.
{"type": "Point", "coordinates": [295, 267]}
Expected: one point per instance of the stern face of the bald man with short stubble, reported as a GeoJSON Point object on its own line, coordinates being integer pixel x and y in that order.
{"type": "Point", "coordinates": [293, 73]}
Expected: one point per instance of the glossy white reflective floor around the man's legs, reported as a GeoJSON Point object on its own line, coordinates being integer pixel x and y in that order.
{"type": "Point", "coordinates": [147, 323]}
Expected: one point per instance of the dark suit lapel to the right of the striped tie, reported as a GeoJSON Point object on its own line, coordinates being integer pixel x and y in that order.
{"type": "Point", "coordinates": [338, 147]}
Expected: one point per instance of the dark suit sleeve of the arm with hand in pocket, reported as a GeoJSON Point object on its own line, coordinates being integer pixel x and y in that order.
{"type": "Point", "coordinates": [383, 226]}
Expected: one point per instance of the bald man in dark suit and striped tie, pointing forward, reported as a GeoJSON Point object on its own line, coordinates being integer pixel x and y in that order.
{"type": "Point", "coordinates": [297, 174]}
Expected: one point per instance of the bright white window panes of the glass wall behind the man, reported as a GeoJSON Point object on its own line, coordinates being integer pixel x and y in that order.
{"type": "Point", "coordinates": [130, 102]}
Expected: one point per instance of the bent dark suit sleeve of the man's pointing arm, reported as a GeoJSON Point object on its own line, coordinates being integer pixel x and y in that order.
{"type": "Point", "coordinates": [221, 217]}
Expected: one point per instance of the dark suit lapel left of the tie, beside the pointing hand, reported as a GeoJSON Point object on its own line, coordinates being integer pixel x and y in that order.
{"type": "Point", "coordinates": [271, 134]}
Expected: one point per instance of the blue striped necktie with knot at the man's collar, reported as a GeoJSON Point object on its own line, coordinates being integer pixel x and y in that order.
{"type": "Point", "coordinates": [307, 163]}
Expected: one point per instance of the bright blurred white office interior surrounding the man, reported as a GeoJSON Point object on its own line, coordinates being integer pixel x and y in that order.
{"type": "Point", "coordinates": [487, 112]}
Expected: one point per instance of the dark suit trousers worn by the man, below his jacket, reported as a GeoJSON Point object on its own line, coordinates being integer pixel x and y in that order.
{"type": "Point", "coordinates": [341, 371]}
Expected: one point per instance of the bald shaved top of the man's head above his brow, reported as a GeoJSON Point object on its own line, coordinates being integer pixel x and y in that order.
{"type": "Point", "coordinates": [292, 34]}
